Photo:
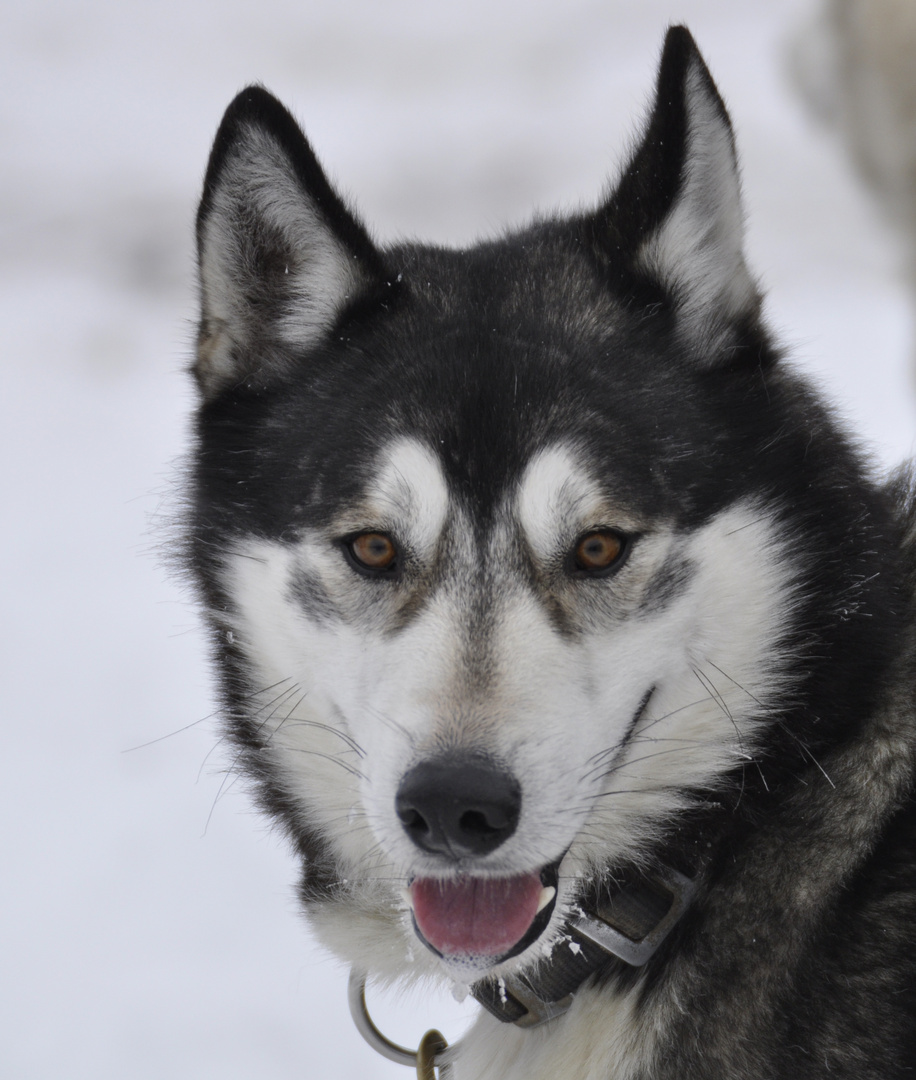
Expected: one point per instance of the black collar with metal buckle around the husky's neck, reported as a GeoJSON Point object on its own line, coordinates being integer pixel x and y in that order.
{"type": "Point", "coordinates": [627, 921]}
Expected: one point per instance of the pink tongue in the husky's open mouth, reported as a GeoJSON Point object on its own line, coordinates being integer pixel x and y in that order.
{"type": "Point", "coordinates": [476, 916]}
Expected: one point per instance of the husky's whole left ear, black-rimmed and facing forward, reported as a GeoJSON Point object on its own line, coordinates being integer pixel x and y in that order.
{"type": "Point", "coordinates": [280, 255]}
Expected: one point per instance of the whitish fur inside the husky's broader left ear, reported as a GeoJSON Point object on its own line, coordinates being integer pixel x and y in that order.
{"type": "Point", "coordinates": [259, 192]}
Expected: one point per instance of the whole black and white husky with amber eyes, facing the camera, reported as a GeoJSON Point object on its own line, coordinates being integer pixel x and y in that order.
{"type": "Point", "coordinates": [557, 620]}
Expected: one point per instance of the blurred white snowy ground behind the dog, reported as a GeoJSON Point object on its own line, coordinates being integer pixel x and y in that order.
{"type": "Point", "coordinates": [149, 924]}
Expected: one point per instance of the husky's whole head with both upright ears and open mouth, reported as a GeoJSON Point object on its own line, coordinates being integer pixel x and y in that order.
{"type": "Point", "coordinates": [499, 578]}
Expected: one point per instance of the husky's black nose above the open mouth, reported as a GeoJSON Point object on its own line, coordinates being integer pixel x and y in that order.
{"type": "Point", "coordinates": [460, 807]}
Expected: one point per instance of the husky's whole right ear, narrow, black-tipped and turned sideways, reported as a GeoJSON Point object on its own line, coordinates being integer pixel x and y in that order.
{"type": "Point", "coordinates": [677, 213]}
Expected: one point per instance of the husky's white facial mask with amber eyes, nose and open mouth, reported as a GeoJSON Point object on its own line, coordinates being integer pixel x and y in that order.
{"type": "Point", "coordinates": [488, 719]}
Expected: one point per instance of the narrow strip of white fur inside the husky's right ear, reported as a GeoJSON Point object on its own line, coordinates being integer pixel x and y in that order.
{"type": "Point", "coordinates": [698, 250]}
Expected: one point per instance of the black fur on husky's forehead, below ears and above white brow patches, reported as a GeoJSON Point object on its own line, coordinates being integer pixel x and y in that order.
{"type": "Point", "coordinates": [487, 357]}
